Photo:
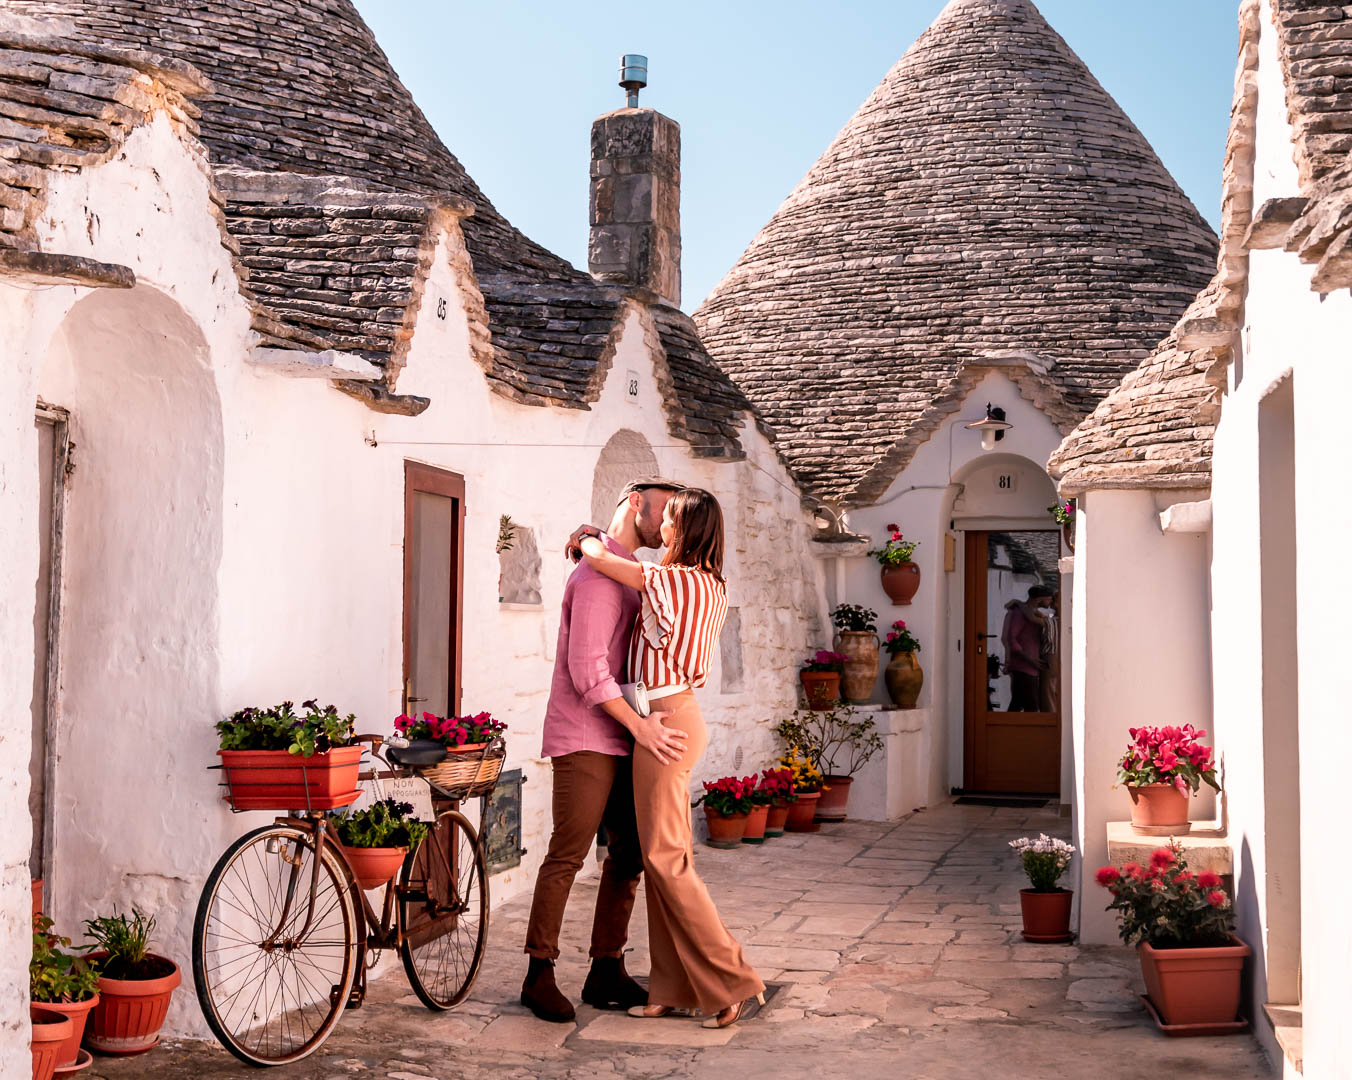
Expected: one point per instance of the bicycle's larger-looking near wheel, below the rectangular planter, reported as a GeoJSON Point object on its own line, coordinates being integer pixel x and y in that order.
{"type": "Point", "coordinates": [270, 996]}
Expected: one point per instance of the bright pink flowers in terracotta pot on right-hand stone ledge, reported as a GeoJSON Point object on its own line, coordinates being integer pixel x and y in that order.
{"type": "Point", "coordinates": [1161, 768]}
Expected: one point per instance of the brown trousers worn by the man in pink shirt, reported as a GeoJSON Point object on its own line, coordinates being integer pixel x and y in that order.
{"type": "Point", "coordinates": [590, 790]}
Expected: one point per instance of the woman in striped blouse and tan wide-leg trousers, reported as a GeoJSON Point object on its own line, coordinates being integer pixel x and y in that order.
{"type": "Point", "coordinates": [696, 962]}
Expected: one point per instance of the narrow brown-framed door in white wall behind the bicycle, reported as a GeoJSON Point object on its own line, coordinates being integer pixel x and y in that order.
{"type": "Point", "coordinates": [435, 578]}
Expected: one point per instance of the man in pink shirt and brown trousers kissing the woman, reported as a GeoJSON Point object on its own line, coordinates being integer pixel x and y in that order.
{"type": "Point", "coordinates": [590, 733]}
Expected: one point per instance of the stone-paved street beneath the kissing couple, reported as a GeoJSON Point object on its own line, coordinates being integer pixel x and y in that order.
{"type": "Point", "coordinates": [894, 951]}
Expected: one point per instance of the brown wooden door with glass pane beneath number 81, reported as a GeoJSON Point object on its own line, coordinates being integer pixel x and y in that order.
{"type": "Point", "coordinates": [1012, 664]}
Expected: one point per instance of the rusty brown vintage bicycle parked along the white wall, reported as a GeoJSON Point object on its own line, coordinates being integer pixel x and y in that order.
{"type": "Point", "coordinates": [285, 936]}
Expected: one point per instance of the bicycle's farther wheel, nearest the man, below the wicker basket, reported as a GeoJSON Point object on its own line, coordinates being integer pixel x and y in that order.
{"type": "Point", "coordinates": [444, 910]}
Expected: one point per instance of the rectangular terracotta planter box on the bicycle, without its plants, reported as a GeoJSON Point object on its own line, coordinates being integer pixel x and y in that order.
{"type": "Point", "coordinates": [282, 781]}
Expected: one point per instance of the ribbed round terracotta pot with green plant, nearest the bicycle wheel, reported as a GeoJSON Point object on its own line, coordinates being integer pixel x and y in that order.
{"type": "Point", "coordinates": [136, 986]}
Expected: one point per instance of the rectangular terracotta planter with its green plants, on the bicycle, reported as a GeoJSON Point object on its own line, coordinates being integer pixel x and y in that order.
{"type": "Point", "coordinates": [276, 759]}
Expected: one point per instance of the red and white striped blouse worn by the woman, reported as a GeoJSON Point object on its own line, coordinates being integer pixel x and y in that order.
{"type": "Point", "coordinates": [678, 631]}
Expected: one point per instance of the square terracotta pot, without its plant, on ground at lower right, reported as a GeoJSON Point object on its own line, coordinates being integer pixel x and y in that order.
{"type": "Point", "coordinates": [1194, 986]}
